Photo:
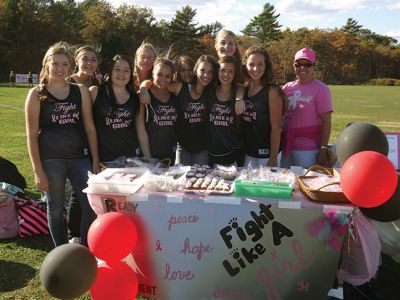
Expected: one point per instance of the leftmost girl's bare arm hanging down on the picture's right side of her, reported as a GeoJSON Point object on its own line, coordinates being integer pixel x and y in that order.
{"type": "Point", "coordinates": [90, 128]}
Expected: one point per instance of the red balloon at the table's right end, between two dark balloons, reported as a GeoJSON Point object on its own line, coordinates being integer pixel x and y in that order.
{"type": "Point", "coordinates": [368, 179]}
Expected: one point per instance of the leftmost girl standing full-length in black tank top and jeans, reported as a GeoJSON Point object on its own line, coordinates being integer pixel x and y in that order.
{"type": "Point", "coordinates": [60, 133]}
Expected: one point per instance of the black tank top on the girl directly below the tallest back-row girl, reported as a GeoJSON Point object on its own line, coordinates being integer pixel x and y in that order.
{"type": "Point", "coordinates": [224, 134]}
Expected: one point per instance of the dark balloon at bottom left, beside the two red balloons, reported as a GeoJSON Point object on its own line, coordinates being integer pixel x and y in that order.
{"type": "Point", "coordinates": [68, 271]}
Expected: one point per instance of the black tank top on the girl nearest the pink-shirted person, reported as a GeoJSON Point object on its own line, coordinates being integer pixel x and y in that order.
{"type": "Point", "coordinates": [256, 124]}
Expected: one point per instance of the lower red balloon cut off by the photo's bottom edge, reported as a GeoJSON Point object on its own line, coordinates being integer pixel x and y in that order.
{"type": "Point", "coordinates": [115, 281]}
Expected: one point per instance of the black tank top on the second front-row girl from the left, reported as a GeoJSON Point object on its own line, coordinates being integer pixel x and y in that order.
{"type": "Point", "coordinates": [115, 125]}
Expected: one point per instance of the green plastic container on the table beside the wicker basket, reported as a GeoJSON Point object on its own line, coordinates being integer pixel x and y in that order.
{"type": "Point", "coordinates": [264, 189]}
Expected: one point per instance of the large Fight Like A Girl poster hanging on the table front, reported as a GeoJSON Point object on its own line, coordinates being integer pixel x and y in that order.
{"type": "Point", "coordinates": [201, 250]}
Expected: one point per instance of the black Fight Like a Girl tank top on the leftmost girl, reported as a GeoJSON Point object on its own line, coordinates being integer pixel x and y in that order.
{"type": "Point", "coordinates": [62, 135]}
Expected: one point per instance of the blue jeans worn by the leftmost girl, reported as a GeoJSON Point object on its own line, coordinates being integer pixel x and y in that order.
{"type": "Point", "coordinates": [57, 171]}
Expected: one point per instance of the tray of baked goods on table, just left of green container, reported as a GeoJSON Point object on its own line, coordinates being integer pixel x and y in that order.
{"type": "Point", "coordinates": [204, 180]}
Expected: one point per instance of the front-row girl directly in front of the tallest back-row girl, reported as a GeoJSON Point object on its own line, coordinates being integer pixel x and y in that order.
{"type": "Point", "coordinates": [224, 138]}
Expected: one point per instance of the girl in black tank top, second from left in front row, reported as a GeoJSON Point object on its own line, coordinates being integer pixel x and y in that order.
{"type": "Point", "coordinates": [115, 106]}
